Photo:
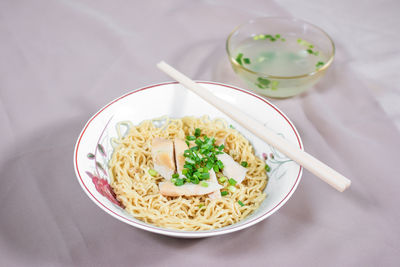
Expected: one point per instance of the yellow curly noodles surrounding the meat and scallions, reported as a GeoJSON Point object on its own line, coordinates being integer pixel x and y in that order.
{"type": "Point", "coordinates": [138, 191]}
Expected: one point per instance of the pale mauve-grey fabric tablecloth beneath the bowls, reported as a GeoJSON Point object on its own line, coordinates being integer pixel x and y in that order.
{"type": "Point", "coordinates": [60, 61]}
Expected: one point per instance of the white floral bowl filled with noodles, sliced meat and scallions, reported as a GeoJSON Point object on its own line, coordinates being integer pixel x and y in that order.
{"type": "Point", "coordinates": [163, 160]}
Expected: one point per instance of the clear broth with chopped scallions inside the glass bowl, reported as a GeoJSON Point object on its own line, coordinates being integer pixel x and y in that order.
{"type": "Point", "coordinates": [281, 58]}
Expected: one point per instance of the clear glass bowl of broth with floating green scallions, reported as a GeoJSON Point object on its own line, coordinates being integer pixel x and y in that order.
{"type": "Point", "coordinates": [279, 57]}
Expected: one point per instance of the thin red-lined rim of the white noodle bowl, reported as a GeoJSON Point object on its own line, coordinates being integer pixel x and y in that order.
{"type": "Point", "coordinates": [180, 233]}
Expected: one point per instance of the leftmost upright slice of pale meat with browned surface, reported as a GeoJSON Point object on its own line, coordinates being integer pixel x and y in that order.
{"type": "Point", "coordinates": [162, 151]}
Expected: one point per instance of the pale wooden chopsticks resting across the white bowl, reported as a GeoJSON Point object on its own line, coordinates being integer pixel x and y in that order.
{"type": "Point", "coordinates": [321, 170]}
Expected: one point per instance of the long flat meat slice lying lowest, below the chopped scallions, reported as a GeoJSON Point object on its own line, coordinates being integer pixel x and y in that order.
{"type": "Point", "coordinates": [188, 189]}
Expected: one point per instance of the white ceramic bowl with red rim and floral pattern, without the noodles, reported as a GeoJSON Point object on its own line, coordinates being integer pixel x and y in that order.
{"type": "Point", "coordinates": [93, 148]}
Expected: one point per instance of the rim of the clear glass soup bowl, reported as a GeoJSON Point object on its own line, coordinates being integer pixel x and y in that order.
{"type": "Point", "coordinates": [290, 19]}
